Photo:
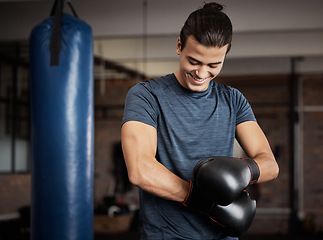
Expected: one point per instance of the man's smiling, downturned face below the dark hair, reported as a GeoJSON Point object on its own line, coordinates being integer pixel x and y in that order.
{"type": "Point", "coordinates": [198, 64]}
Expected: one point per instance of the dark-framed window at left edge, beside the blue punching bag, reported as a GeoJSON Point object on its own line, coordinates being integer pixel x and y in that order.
{"type": "Point", "coordinates": [14, 108]}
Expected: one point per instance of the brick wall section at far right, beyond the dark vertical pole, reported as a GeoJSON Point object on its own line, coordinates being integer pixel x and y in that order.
{"type": "Point", "coordinates": [312, 125]}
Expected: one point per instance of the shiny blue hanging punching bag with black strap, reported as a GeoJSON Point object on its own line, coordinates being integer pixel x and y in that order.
{"type": "Point", "coordinates": [62, 128]}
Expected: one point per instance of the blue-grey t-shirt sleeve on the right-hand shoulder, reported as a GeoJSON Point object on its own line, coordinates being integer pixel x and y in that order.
{"type": "Point", "coordinates": [243, 109]}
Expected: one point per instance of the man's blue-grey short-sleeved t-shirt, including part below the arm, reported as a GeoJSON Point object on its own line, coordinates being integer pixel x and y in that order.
{"type": "Point", "coordinates": [190, 126]}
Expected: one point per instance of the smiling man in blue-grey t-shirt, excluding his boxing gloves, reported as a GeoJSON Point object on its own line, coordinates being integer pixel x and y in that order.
{"type": "Point", "coordinates": [173, 122]}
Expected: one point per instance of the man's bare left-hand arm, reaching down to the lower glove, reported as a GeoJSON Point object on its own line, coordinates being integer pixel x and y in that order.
{"type": "Point", "coordinates": [139, 144]}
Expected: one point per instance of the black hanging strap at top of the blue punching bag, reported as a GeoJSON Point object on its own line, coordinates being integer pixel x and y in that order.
{"type": "Point", "coordinates": [55, 41]}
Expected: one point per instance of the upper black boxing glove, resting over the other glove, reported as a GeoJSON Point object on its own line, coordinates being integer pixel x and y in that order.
{"type": "Point", "coordinates": [224, 178]}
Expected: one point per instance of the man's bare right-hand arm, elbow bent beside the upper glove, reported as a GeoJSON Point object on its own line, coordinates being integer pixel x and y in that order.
{"type": "Point", "coordinates": [255, 144]}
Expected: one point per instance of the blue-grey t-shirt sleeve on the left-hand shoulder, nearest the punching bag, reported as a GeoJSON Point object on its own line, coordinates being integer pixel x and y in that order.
{"type": "Point", "coordinates": [141, 106]}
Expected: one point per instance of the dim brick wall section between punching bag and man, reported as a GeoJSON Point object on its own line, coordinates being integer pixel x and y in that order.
{"type": "Point", "coordinates": [109, 103]}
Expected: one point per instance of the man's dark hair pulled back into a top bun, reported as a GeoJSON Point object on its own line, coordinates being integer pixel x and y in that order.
{"type": "Point", "coordinates": [209, 25]}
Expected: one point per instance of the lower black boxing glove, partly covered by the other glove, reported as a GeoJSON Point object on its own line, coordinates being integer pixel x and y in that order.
{"type": "Point", "coordinates": [235, 218]}
